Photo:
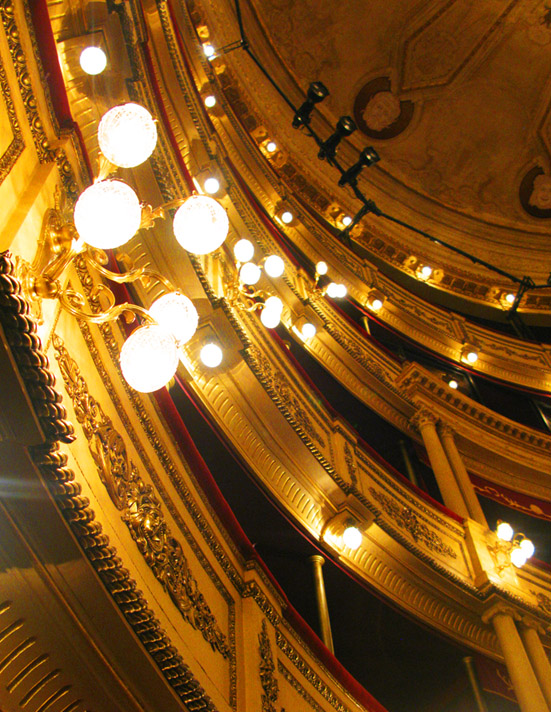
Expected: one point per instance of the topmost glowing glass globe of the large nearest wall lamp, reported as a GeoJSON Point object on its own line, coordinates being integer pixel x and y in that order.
{"type": "Point", "coordinates": [127, 135]}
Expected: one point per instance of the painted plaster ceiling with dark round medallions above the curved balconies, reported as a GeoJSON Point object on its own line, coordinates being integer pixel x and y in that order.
{"type": "Point", "coordinates": [455, 96]}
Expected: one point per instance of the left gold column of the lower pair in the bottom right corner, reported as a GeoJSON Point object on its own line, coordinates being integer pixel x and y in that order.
{"type": "Point", "coordinates": [525, 684]}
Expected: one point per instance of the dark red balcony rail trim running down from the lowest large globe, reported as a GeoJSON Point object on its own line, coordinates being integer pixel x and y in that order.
{"type": "Point", "coordinates": [208, 484]}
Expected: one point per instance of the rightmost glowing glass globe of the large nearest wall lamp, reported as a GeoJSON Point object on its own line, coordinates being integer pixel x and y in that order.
{"type": "Point", "coordinates": [201, 224]}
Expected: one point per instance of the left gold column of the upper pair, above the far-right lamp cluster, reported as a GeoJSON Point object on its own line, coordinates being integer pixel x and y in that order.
{"type": "Point", "coordinates": [425, 422]}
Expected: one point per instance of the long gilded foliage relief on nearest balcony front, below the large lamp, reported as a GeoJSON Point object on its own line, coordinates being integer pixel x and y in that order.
{"type": "Point", "coordinates": [140, 508]}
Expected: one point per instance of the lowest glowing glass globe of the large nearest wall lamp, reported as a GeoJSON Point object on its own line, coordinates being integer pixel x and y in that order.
{"type": "Point", "coordinates": [149, 358]}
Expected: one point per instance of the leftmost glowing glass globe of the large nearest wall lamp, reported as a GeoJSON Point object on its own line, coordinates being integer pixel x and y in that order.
{"type": "Point", "coordinates": [107, 214]}
